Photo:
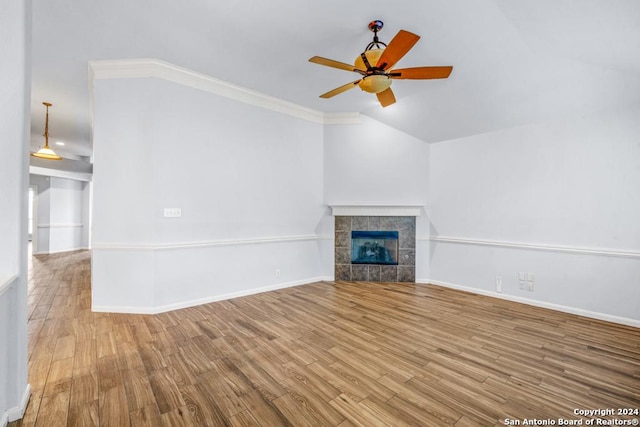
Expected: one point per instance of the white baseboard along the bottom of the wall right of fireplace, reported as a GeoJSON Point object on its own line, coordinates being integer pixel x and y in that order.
{"type": "Point", "coordinates": [556, 307]}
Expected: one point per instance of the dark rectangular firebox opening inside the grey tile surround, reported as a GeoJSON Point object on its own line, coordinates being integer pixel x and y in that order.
{"type": "Point", "coordinates": [374, 247]}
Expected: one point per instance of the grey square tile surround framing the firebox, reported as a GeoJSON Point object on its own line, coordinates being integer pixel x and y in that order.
{"type": "Point", "coordinates": [403, 272]}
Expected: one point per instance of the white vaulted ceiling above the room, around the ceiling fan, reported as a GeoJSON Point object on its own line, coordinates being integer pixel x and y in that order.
{"type": "Point", "coordinates": [515, 61]}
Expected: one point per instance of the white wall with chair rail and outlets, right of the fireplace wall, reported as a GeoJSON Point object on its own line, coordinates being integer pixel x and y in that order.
{"type": "Point", "coordinates": [559, 200]}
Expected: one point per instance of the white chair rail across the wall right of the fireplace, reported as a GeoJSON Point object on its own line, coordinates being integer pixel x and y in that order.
{"type": "Point", "coordinates": [539, 247]}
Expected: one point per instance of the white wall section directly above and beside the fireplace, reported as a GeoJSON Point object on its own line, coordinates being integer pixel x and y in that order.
{"type": "Point", "coordinates": [372, 163]}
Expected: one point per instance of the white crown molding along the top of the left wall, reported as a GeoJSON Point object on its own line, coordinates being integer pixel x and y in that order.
{"type": "Point", "coordinates": [149, 67]}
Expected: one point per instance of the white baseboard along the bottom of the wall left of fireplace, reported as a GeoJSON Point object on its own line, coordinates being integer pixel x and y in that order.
{"type": "Point", "coordinates": [207, 300]}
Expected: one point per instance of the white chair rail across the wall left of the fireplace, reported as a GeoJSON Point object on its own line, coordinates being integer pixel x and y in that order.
{"type": "Point", "coordinates": [203, 244]}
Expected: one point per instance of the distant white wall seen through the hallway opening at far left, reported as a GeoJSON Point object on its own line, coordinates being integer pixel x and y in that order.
{"type": "Point", "coordinates": [62, 220]}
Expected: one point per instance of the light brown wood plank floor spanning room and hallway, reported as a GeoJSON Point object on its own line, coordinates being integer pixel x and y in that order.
{"type": "Point", "coordinates": [326, 354]}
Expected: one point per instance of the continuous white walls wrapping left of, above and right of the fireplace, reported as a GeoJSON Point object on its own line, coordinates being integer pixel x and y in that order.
{"type": "Point", "coordinates": [554, 199]}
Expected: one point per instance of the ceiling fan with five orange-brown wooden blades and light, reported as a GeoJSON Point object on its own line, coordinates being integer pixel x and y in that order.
{"type": "Point", "coordinates": [375, 66]}
